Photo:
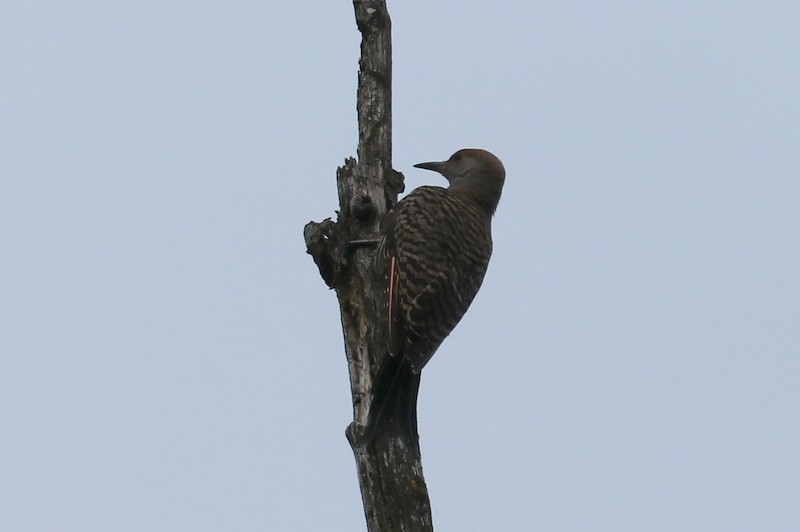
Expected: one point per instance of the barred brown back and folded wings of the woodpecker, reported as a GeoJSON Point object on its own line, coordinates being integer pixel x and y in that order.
{"type": "Point", "coordinates": [431, 273]}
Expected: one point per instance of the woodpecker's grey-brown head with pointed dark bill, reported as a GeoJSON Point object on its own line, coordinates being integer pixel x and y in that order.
{"type": "Point", "coordinates": [472, 172]}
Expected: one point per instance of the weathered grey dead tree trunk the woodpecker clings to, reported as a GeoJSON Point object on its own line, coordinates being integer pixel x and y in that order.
{"type": "Point", "coordinates": [389, 468]}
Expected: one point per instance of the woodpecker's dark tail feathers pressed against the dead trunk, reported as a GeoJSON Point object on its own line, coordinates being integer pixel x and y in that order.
{"type": "Point", "coordinates": [394, 398]}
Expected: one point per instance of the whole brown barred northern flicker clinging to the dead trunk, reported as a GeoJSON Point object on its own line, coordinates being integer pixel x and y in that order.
{"type": "Point", "coordinates": [434, 251]}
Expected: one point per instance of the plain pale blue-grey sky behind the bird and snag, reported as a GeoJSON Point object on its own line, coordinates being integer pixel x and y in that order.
{"type": "Point", "coordinates": [170, 359]}
